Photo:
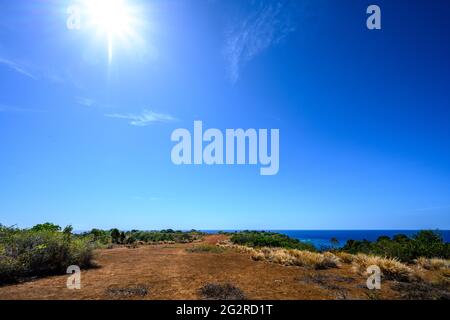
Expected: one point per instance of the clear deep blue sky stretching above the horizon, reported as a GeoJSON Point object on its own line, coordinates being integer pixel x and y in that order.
{"type": "Point", "coordinates": [364, 116]}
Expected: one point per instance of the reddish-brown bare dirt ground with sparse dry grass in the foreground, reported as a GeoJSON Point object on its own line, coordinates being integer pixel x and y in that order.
{"type": "Point", "coordinates": [170, 271]}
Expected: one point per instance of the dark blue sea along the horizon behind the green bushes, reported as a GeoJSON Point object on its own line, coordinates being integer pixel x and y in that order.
{"type": "Point", "coordinates": [321, 238]}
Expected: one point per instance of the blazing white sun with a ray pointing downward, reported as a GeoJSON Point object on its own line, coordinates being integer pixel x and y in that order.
{"type": "Point", "coordinates": [112, 18]}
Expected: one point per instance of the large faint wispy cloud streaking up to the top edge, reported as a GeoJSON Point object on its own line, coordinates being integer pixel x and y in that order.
{"type": "Point", "coordinates": [266, 26]}
